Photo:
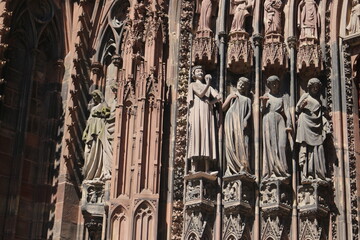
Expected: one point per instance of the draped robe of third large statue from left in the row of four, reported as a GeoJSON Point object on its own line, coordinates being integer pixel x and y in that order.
{"type": "Point", "coordinates": [275, 137]}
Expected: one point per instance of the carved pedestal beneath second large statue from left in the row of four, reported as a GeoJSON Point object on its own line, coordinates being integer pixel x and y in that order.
{"type": "Point", "coordinates": [238, 202]}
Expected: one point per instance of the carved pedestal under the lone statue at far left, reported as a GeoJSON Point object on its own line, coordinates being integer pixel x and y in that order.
{"type": "Point", "coordinates": [93, 209]}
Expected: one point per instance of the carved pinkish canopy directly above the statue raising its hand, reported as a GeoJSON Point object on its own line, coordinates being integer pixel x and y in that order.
{"type": "Point", "coordinates": [204, 49]}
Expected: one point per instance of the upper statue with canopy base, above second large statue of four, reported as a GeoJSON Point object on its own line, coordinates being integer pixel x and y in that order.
{"type": "Point", "coordinates": [239, 48]}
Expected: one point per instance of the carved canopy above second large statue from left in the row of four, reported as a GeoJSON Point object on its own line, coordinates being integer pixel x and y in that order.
{"type": "Point", "coordinates": [239, 53]}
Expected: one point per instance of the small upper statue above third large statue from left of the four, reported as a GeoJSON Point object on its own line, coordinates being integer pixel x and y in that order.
{"type": "Point", "coordinates": [272, 16]}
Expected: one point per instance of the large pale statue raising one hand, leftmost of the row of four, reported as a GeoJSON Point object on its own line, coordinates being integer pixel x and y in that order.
{"type": "Point", "coordinates": [202, 136]}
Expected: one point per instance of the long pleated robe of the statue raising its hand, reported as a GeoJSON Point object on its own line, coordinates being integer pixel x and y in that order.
{"type": "Point", "coordinates": [202, 135]}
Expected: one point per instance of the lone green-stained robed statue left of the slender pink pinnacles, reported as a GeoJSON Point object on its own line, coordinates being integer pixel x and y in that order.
{"type": "Point", "coordinates": [93, 137]}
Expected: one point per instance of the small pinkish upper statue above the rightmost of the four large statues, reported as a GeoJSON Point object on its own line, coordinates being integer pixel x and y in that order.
{"type": "Point", "coordinates": [308, 19]}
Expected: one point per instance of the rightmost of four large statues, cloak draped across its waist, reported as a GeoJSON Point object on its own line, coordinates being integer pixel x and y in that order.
{"type": "Point", "coordinates": [312, 128]}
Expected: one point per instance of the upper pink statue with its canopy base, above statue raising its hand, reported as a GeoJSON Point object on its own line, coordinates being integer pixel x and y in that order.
{"type": "Point", "coordinates": [204, 45]}
